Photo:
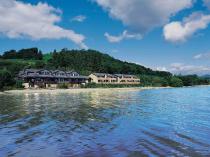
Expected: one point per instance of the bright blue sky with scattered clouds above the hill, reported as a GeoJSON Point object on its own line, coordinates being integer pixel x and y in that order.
{"type": "Point", "coordinates": [172, 35]}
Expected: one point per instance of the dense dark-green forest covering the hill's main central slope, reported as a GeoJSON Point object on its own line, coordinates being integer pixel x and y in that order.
{"type": "Point", "coordinates": [94, 61]}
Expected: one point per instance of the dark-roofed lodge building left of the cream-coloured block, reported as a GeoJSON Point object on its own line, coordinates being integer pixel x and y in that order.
{"type": "Point", "coordinates": [50, 78]}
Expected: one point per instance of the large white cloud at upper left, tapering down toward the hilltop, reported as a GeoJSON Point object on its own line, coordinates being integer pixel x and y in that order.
{"type": "Point", "coordinates": [24, 20]}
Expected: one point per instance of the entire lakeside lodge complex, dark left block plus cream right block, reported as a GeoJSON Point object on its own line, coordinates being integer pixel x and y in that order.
{"type": "Point", "coordinates": [34, 78]}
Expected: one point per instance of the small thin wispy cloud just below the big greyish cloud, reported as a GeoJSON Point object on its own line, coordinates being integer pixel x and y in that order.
{"type": "Point", "coordinates": [124, 35]}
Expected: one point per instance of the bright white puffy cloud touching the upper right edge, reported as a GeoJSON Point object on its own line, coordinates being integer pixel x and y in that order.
{"type": "Point", "coordinates": [181, 31]}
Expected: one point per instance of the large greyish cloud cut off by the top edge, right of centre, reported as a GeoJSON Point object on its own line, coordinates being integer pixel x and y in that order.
{"type": "Point", "coordinates": [144, 15]}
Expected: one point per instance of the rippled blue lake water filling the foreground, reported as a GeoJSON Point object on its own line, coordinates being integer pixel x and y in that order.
{"type": "Point", "coordinates": [163, 122]}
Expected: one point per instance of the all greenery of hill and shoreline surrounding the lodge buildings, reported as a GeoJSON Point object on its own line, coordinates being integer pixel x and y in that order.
{"type": "Point", "coordinates": [86, 62]}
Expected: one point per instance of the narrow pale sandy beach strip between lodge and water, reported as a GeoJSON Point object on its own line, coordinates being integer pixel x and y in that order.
{"type": "Point", "coordinates": [77, 90]}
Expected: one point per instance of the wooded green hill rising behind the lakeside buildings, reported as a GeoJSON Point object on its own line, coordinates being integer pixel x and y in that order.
{"type": "Point", "coordinates": [83, 61]}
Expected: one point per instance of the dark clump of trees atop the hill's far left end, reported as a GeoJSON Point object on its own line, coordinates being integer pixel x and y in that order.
{"type": "Point", "coordinates": [31, 53]}
